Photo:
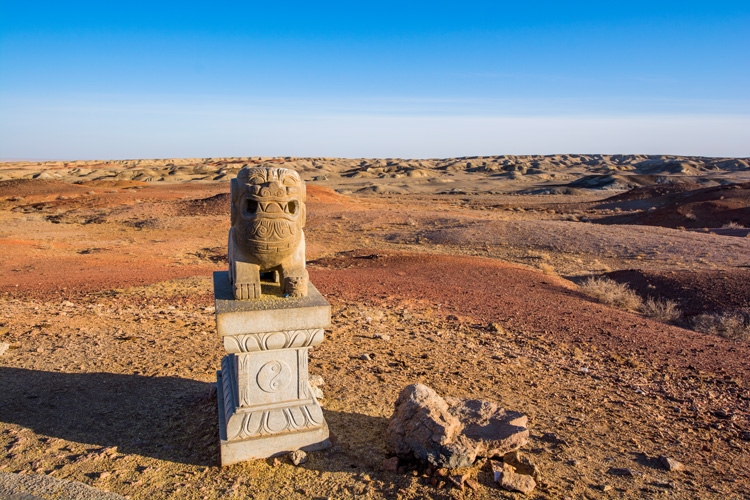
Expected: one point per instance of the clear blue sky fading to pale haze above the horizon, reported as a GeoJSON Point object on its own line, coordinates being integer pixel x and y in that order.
{"type": "Point", "coordinates": [411, 79]}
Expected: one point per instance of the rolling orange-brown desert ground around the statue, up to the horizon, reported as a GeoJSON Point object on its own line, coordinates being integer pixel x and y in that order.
{"type": "Point", "coordinates": [466, 274]}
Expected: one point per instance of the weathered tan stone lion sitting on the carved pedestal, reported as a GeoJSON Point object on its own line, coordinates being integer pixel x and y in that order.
{"type": "Point", "coordinates": [268, 214]}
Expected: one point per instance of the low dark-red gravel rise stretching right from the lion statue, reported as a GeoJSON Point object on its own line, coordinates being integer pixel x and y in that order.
{"type": "Point", "coordinates": [484, 290]}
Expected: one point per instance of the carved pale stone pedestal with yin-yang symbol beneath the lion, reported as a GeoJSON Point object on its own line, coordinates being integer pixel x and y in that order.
{"type": "Point", "coordinates": [266, 405]}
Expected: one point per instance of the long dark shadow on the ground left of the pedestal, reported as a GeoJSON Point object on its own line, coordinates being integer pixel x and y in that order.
{"type": "Point", "coordinates": [167, 418]}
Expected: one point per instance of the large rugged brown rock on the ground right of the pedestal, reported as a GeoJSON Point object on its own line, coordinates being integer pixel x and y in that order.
{"type": "Point", "coordinates": [451, 433]}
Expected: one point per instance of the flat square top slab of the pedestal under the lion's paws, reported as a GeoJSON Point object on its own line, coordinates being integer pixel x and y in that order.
{"type": "Point", "coordinates": [272, 312]}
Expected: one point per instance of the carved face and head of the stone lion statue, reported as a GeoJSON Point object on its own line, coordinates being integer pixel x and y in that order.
{"type": "Point", "coordinates": [268, 208]}
